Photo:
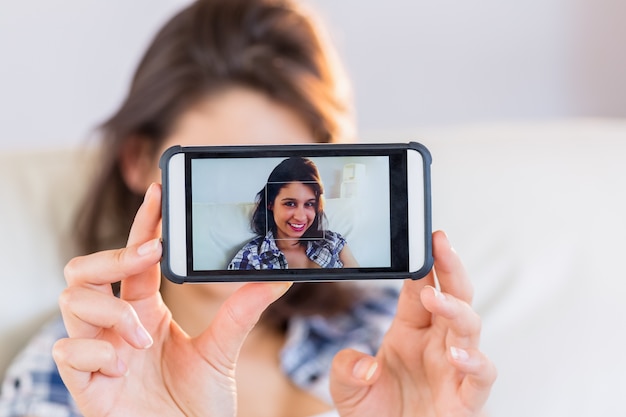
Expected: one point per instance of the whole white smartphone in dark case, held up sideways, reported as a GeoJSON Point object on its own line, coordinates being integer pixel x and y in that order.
{"type": "Point", "coordinates": [296, 212]}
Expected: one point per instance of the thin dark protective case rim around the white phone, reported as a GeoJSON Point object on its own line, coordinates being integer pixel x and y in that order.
{"type": "Point", "coordinates": [297, 275]}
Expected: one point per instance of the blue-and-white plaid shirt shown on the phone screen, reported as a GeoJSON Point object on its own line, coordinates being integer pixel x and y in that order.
{"type": "Point", "coordinates": [263, 253]}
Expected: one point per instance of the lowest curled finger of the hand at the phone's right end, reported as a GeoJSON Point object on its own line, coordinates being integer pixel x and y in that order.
{"type": "Point", "coordinates": [480, 374]}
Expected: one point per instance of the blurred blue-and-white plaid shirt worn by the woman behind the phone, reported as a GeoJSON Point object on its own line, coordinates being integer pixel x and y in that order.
{"type": "Point", "coordinates": [33, 387]}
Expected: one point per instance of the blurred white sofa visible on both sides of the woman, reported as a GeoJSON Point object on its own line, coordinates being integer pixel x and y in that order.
{"type": "Point", "coordinates": [537, 211]}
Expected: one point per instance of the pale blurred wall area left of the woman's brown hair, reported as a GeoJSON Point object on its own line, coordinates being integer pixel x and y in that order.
{"type": "Point", "coordinates": [65, 64]}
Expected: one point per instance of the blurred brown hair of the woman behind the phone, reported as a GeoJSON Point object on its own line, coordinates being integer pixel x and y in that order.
{"type": "Point", "coordinates": [267, 45]}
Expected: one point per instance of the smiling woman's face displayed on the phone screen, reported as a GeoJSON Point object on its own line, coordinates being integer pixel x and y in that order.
{"type": "Point", "coordinates": [294, 210]}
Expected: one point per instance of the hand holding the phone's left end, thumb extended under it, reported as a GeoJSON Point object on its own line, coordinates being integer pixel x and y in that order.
{"type": "Point", "coordinates": [126, 356]}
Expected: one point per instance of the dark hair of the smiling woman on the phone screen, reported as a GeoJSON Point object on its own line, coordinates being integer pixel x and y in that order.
{"type": "Point", "coordinates": [295, 169]}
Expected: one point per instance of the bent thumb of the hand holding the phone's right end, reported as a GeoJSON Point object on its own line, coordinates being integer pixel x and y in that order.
{"type": "Point", "coordinates": [351, 375]}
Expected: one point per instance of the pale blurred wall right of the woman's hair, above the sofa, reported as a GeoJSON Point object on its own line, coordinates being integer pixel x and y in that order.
{"type": "Point", "coordinates": [457, 61]}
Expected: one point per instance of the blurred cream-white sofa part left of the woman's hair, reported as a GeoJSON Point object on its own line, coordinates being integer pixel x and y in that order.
{"type": "Point", "coordinates": [38, 194]}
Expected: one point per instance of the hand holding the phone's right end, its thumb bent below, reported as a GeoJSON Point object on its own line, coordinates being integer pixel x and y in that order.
{"type": "Point", "coordinates": [429, 363]}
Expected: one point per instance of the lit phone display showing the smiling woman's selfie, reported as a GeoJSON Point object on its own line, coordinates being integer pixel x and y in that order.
{"type": "Point", "coordinates": [235, 204]}
